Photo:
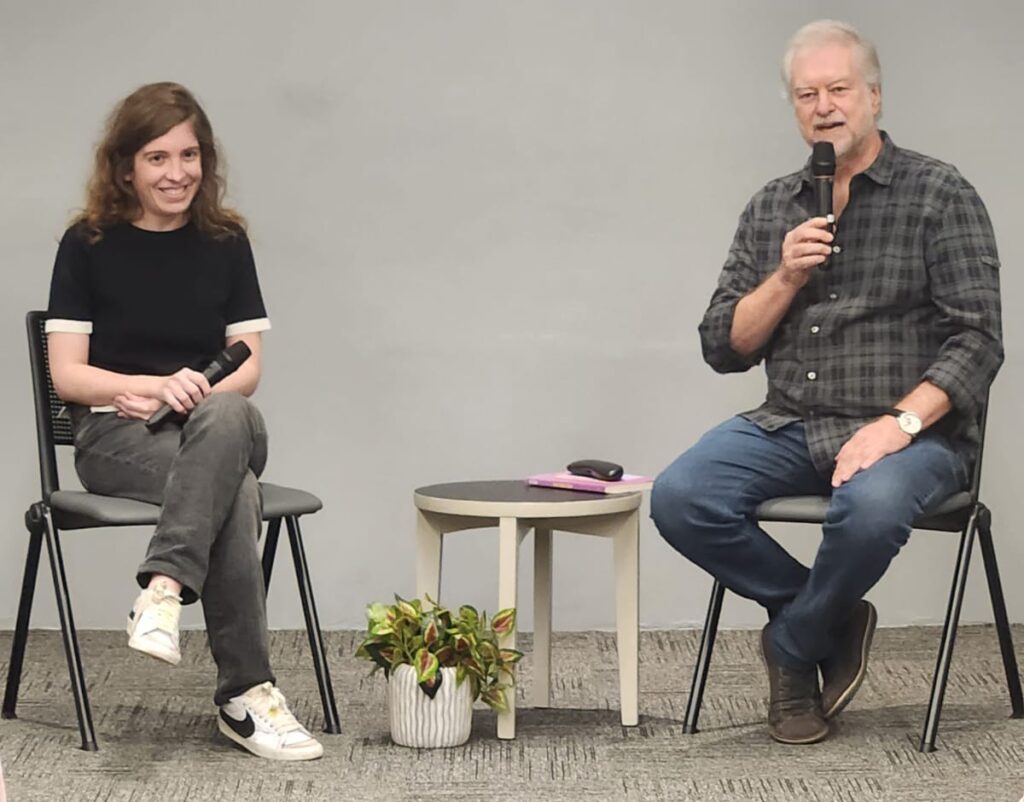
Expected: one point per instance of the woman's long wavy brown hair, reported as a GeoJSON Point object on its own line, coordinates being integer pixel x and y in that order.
{"type": "Point", "coordinates": [147, 114]}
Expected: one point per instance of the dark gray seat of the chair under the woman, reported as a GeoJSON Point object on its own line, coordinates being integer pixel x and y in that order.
{"type": "Point", "coordinates": [77, 510]}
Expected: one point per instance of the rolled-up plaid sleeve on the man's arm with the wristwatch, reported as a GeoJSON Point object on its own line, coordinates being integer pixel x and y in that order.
{"type": "Point", "coordinates": [964, 272]}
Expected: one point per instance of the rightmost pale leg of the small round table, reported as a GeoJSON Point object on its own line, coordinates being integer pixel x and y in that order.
{"type": "Point", "coordinates": [627, 556]}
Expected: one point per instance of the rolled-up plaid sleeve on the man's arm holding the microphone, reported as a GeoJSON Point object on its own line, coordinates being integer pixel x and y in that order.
{"type": "Point", "coordinates": [740, 276]}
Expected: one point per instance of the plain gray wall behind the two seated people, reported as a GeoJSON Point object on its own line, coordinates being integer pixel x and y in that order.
{"type": "Point", "coordinates": [486, 233]}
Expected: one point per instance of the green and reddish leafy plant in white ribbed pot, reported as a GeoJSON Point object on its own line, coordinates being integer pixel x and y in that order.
{"type": "Point", "coordinates": [438, 664]}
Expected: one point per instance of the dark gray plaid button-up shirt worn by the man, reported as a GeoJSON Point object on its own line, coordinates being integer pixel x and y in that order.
{"type": "Point", "coordinates": [913, 296]}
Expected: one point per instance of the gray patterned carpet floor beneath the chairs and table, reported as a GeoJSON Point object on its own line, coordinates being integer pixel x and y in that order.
{"type": "Point", "coordinates": [159, 740]}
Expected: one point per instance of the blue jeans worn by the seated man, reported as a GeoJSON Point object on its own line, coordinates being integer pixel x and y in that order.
{"type": "Point", "coordinates": [704, 506]}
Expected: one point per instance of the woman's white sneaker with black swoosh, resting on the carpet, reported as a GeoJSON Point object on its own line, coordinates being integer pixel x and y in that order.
{"type": "Point", "coordinates": [261, 722]}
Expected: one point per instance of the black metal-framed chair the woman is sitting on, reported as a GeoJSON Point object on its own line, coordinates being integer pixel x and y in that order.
{"type": "Point", "coordinates": [78, 511]}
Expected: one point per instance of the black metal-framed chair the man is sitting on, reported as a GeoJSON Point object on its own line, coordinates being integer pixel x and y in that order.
{"type": "Point", "coordinates": [962, 513]}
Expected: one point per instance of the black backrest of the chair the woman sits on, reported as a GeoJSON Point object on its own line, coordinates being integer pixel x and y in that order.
{"type": "Point", "coordinates": [53, 425]}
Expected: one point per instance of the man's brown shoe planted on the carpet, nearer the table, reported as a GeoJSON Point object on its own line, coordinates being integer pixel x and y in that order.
{"type": "Point", "coordinates": [795, 704]}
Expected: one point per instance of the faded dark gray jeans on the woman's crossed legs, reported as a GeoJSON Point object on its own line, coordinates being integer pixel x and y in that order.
{"type": "Point", "coordinates": [203, 473]}
